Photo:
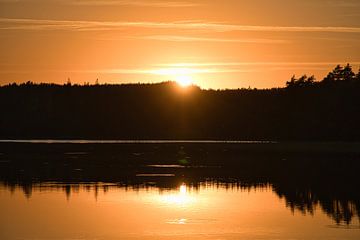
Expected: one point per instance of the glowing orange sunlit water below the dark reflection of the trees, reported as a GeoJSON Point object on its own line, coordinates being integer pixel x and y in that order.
{"type": "Point", "coordinates": [208, 212]}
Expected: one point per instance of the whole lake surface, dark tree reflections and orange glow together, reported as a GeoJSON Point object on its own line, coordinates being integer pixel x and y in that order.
{"type": "Point", "coordinates": [179, 191]}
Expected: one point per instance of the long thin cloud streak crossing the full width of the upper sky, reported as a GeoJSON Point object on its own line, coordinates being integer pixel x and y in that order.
{"type": "Point", "coordinates": [43, 24]}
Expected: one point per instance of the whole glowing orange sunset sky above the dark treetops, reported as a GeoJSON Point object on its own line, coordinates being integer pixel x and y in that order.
{"type": "Point", "coordinates": [215, 44]}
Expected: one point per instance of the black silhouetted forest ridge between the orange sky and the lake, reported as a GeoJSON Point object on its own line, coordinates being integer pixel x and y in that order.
{"type": "Point", "coordinates": [305, 109]}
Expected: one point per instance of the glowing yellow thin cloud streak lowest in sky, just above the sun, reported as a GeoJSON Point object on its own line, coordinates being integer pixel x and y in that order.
{"type": "Point", "coordinates": [176, 69]}
